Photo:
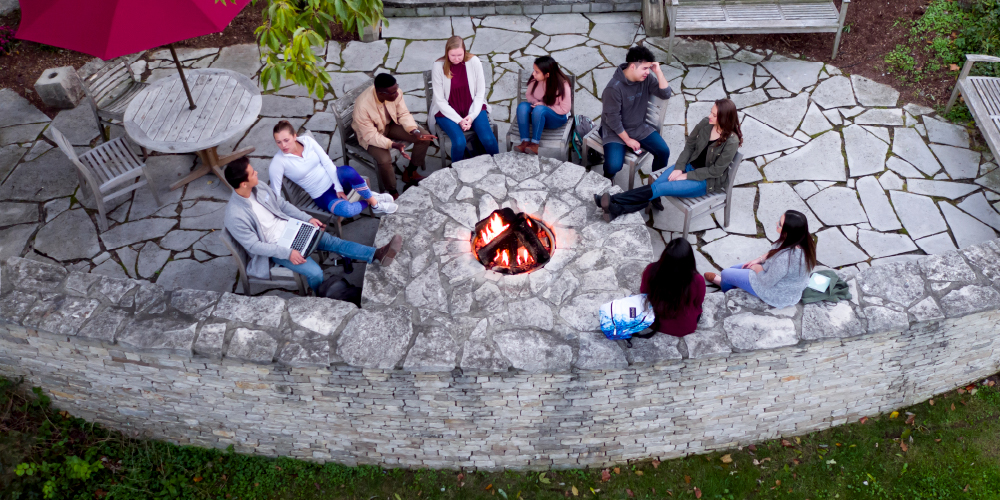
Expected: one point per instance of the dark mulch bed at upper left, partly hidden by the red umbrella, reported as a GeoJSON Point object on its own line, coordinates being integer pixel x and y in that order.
{"type": "Point", "coordinates": [20, 70]}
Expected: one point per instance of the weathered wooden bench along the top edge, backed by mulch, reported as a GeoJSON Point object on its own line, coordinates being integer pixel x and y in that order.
{"type": "Point", "coordinates": [748, 17]}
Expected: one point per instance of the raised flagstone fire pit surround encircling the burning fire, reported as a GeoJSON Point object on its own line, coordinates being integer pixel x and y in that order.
{"type": "Point", "coordinates": [478, 319]}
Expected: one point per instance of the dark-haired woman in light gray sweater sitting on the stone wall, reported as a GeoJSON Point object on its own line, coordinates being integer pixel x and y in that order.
{"type": "Point", "coordinates": [779, 276]}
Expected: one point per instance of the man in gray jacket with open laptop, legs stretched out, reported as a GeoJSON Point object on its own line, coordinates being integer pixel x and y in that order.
{"type": "Point", "coordinates": [270, 227]}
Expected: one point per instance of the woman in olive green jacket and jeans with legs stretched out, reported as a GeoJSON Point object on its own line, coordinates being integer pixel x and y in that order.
{"type": "Point", "coordinates": [708, 151]}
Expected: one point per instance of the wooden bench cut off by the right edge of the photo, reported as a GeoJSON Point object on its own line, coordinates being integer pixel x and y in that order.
{"type": "Point", "coordinates": [982, 96]}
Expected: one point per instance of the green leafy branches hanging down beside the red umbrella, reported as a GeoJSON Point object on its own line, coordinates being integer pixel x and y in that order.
{"type": "Point", "coordinates": [292, 28]}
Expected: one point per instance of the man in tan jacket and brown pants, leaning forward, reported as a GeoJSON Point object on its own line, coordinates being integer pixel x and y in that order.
{"type": "Point", "coordinates": [382, 122]}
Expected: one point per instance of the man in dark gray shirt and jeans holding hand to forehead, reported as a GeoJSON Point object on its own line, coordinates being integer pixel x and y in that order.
{"type": "Point", "coordinates": [623, 119]}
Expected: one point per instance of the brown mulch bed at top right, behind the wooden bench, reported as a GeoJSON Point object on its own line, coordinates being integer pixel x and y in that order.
{"type": "Point", "coordinates": [872, 35]}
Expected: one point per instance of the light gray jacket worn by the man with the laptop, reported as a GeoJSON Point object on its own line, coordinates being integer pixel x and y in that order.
{"type": "Point", "coordinates": [244, 227]}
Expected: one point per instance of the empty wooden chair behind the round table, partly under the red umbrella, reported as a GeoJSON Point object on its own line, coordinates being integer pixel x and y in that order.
{"type": "Point", "coordinates": [110, 89]}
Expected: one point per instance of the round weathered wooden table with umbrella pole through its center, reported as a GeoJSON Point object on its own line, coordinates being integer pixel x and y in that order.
{"type": "Point", "coordinates": [160, 118]}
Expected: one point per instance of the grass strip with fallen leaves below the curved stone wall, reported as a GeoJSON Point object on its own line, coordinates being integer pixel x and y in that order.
{"type": "Point", "coordinates": [947, 447]}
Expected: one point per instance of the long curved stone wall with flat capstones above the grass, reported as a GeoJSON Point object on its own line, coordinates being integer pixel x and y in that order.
{"type": "Point", "coordinates": [266, 374]}
